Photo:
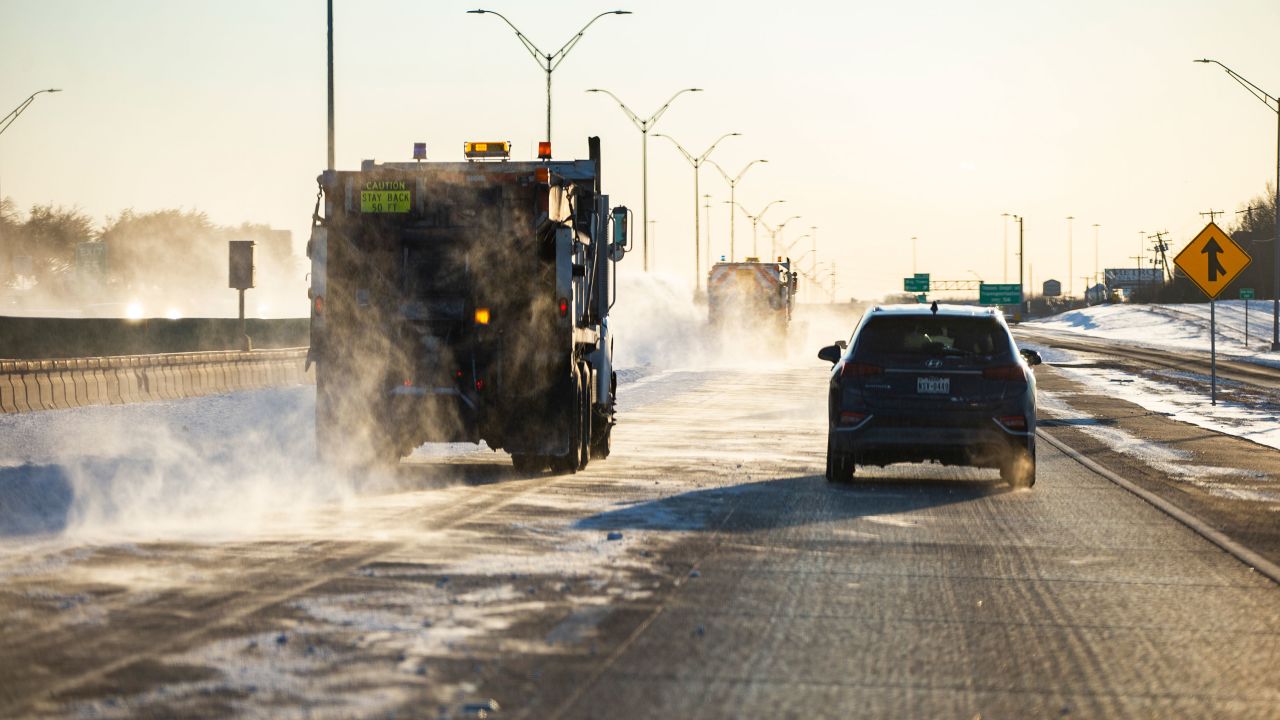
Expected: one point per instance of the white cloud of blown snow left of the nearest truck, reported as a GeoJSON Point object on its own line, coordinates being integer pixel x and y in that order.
{"type": "Point", "coordinates": [214, 467]}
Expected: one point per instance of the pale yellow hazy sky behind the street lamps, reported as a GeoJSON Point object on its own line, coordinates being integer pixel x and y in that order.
{"type": "Point", "coordinates": [880, 121]}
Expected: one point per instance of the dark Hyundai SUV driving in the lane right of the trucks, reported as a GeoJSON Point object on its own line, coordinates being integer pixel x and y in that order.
{"type": "Point", "coordinates": [944, 384]}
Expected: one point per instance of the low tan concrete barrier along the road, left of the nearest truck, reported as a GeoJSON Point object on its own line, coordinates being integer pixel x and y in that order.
{"type": "Point", "coordinates": [29, 386]}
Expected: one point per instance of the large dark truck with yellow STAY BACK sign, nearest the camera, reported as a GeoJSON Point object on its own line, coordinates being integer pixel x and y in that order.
{"type": "Point", "coordinates": [465, 303]}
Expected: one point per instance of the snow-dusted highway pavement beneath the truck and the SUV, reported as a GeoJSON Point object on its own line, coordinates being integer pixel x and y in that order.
{"type": "Point", "coordinates": [189, 559]}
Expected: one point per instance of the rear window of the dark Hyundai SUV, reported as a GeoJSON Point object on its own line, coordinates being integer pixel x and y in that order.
{"type": "Point", "coordinates": [916, 335]}
